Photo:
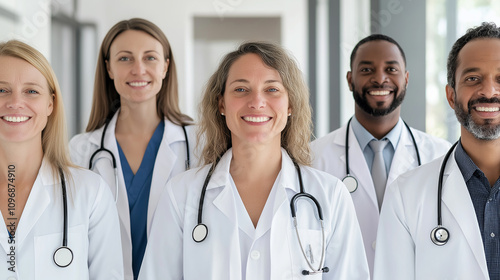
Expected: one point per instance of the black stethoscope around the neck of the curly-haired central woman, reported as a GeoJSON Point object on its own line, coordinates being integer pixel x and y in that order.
{"type": "Point", "coordinates": [200, 231]}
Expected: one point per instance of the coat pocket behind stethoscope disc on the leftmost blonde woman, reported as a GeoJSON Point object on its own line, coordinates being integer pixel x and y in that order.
{"type": "Point", "coordinates": [46, 245]}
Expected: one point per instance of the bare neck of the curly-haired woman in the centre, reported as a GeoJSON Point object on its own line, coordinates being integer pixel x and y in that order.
{"type": "Point", "coordinates": [249, 160]}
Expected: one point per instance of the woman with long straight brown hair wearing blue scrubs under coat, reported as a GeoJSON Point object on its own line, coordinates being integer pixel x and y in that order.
{"type": "Point", "coordinates": [136, 77]}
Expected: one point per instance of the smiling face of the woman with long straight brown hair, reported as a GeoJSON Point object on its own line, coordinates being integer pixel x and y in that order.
{"type": "Point", "coordinates": [137, 66]}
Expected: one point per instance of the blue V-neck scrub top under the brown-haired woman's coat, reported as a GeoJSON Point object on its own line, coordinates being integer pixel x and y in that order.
{"type": "Point", "coordinates": [138, 187]}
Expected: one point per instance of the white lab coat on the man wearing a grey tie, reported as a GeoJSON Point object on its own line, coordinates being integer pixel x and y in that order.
{"type": "Point", "coordinates": [329, 156]}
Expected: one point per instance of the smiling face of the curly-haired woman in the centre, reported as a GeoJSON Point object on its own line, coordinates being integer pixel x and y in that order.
{"type": "Point", "coordinates": [255, 102]}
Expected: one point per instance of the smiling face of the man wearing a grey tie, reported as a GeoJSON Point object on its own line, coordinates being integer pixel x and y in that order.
{"type": "Point", "coordinates": [378, 78]}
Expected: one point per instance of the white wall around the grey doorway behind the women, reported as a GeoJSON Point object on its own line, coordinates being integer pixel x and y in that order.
{"type": "Point", "coordinates": [176, 19]}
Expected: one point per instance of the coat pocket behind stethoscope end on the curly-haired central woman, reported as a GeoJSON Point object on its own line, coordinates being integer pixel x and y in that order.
{"type": "Point", "coordinates": [310, 245]}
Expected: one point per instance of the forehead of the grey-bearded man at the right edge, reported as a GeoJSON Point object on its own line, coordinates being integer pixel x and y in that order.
{"type": "Point", "coordinates": [480, 54]}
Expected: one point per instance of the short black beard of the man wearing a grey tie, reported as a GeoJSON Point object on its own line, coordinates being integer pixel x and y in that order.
{"type": "Point", "coordinates": [360, 99]}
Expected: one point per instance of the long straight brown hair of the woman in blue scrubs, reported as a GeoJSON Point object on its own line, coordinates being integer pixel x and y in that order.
{"type": "Point", "coordinates": [106, 99]}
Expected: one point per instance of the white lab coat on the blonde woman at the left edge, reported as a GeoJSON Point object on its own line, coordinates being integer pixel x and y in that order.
{"type": "Point", "coordinates": [92, 230]}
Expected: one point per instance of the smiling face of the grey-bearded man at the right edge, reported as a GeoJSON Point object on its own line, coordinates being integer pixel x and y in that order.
{"type": "Point", "coordinates": [476, 97]}
